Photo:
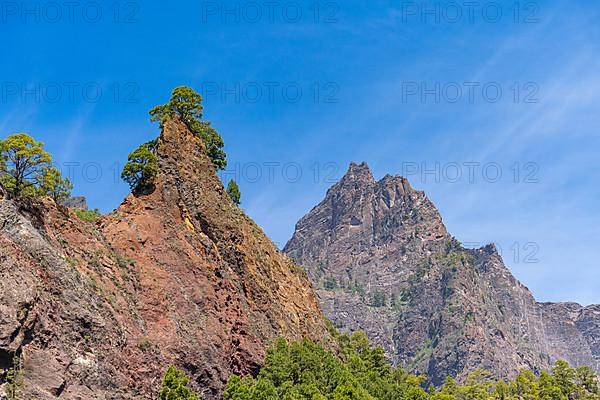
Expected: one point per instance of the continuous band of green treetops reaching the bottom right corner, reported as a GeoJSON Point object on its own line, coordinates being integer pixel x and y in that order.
{"type": "Point", "coordinates": [307, 371]}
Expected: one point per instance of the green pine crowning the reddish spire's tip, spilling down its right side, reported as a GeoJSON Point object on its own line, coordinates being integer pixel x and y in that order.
{"type": "Point", "coordinates": [186, 104]}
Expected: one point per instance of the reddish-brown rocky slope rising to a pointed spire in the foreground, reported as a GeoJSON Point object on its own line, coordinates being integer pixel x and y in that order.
{"type": "Point", "coordinates": [180, 275]}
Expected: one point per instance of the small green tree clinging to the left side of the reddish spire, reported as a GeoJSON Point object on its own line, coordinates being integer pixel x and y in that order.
{"type": "Point", "coordinates": [141, 167]}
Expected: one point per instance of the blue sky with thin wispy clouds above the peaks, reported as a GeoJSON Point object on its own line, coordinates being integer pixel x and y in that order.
{"type": "Point", "coordinates": [307, 87]}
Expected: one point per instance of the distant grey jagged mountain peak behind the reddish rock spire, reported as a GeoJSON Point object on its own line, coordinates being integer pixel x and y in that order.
{"type": "Point", "coordinates": [382, 261]}
